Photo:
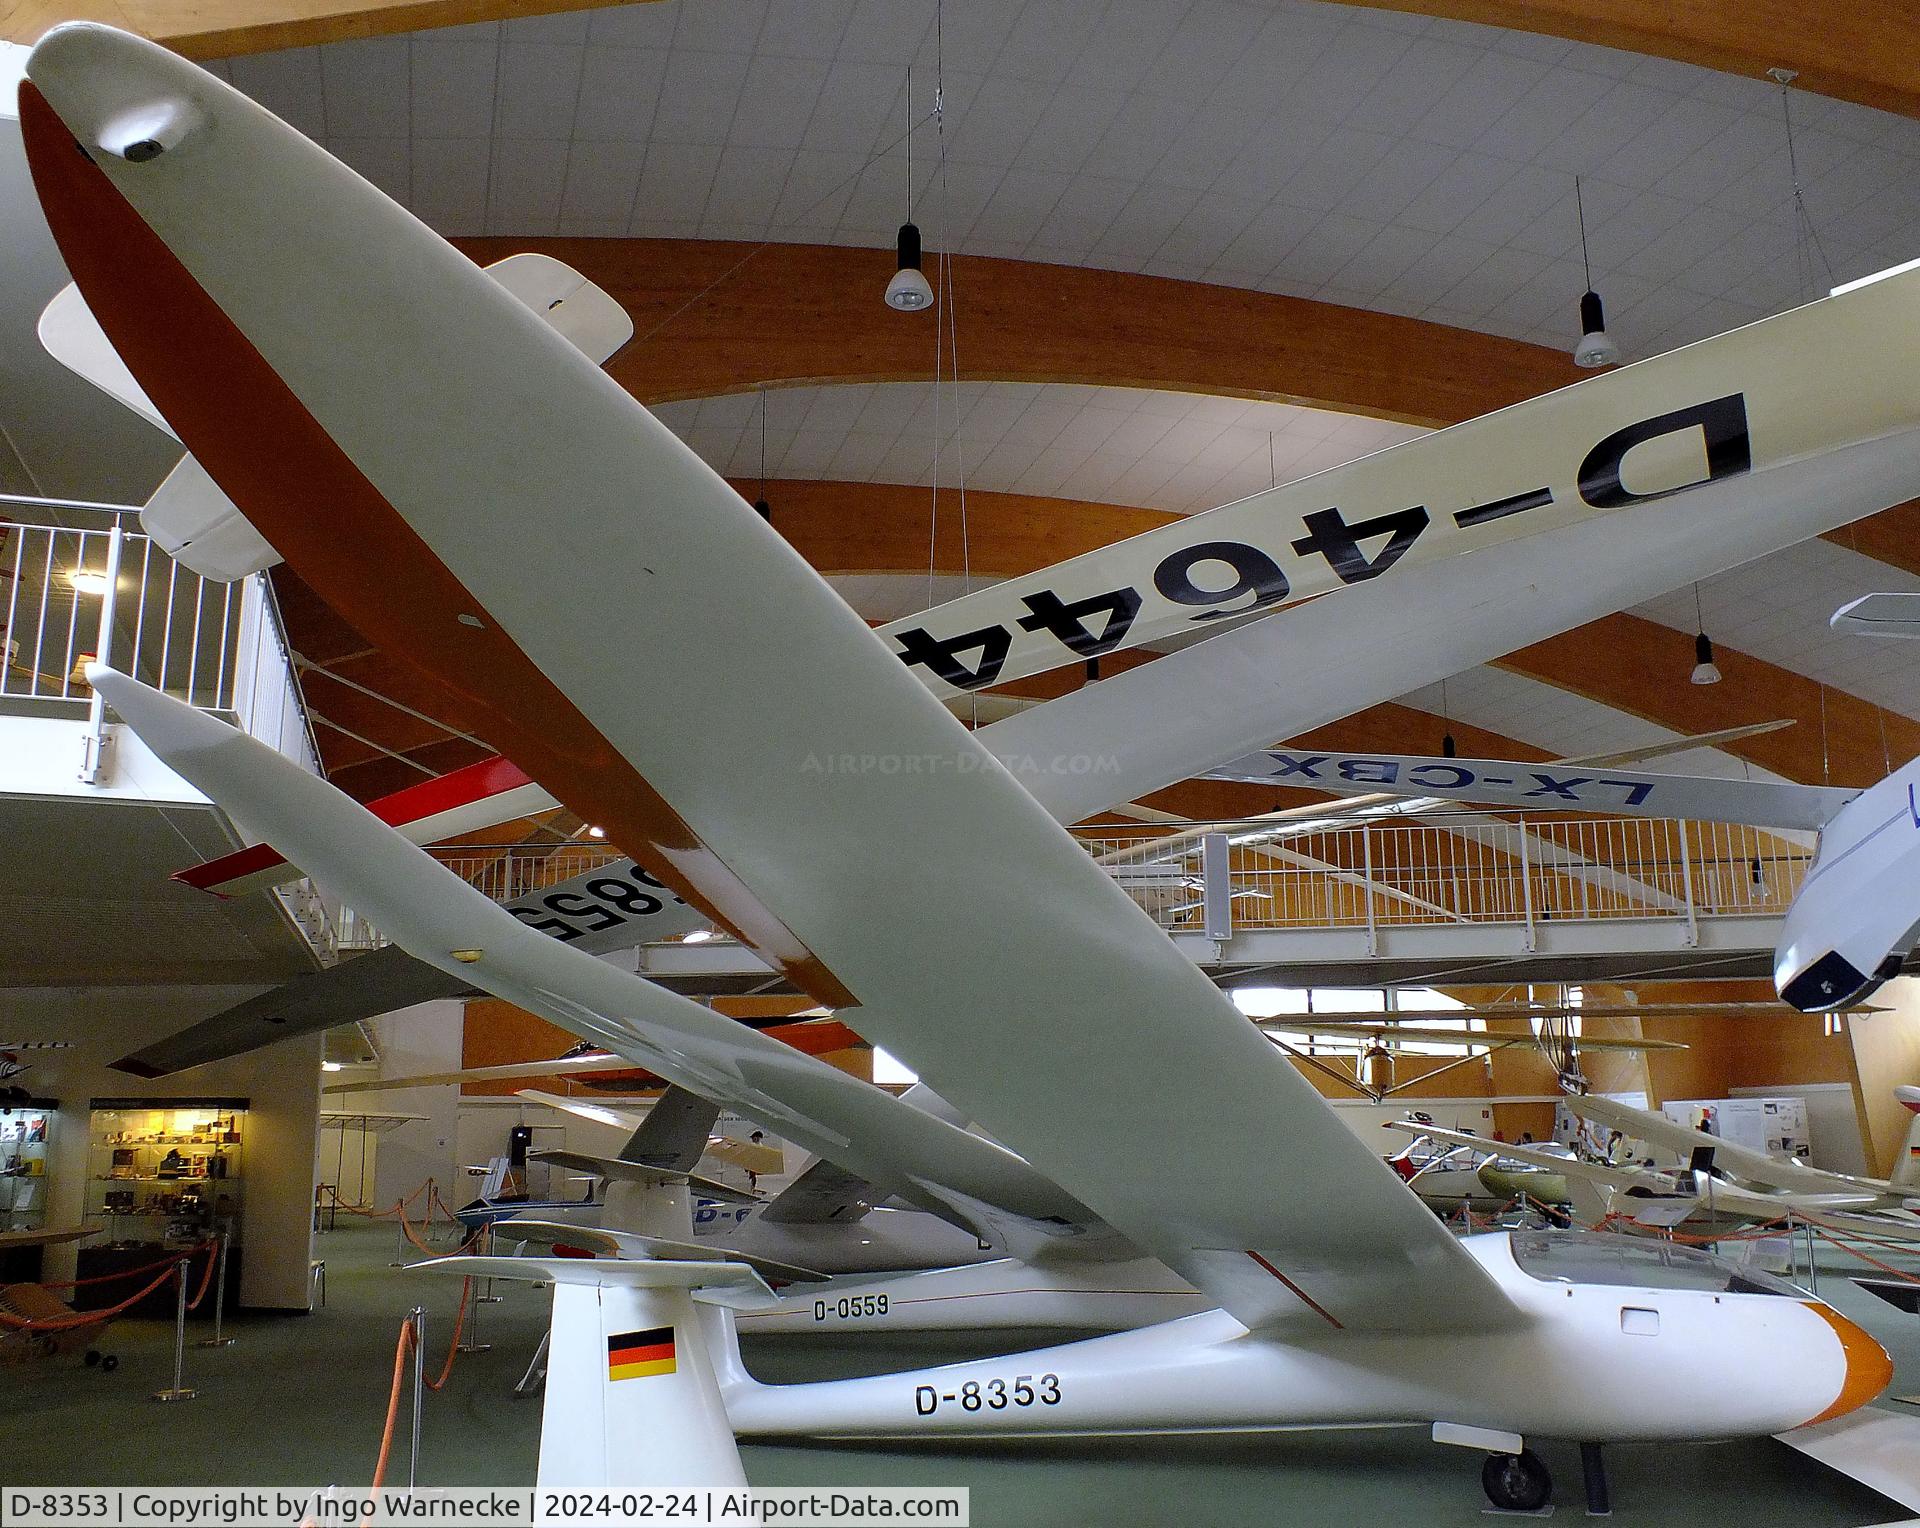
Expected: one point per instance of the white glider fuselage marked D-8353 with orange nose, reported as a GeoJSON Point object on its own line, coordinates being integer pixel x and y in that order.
{"type": "Point", "coordinates": [1587, 1362]}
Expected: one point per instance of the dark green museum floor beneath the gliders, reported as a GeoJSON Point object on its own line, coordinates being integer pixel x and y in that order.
{"type": "Point", "coordinates": [300, 1400]}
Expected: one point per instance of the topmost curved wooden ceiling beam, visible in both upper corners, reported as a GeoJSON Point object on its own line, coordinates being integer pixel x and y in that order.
{"type": "Point", "coordinates": [1861, 51]}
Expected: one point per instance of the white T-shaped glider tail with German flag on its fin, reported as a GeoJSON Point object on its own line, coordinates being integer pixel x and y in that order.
{"type": "Point", "coordinates": [633, 1389]}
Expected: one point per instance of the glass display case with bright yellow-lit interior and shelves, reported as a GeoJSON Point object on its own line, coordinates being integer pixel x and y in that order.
{"type": "Point", "coordinates": [162, 1176]}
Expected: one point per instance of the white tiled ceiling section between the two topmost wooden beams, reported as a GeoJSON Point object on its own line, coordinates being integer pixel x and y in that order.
{"type": "Point", "coordinates": [1293, 147]}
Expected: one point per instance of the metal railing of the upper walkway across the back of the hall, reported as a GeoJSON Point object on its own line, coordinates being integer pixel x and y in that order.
{"type": "Point", "coordinates": [1372, 874]}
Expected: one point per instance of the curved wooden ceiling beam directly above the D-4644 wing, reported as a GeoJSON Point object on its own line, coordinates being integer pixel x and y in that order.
{"type": "Point", "coordinates": [717, 318]}
